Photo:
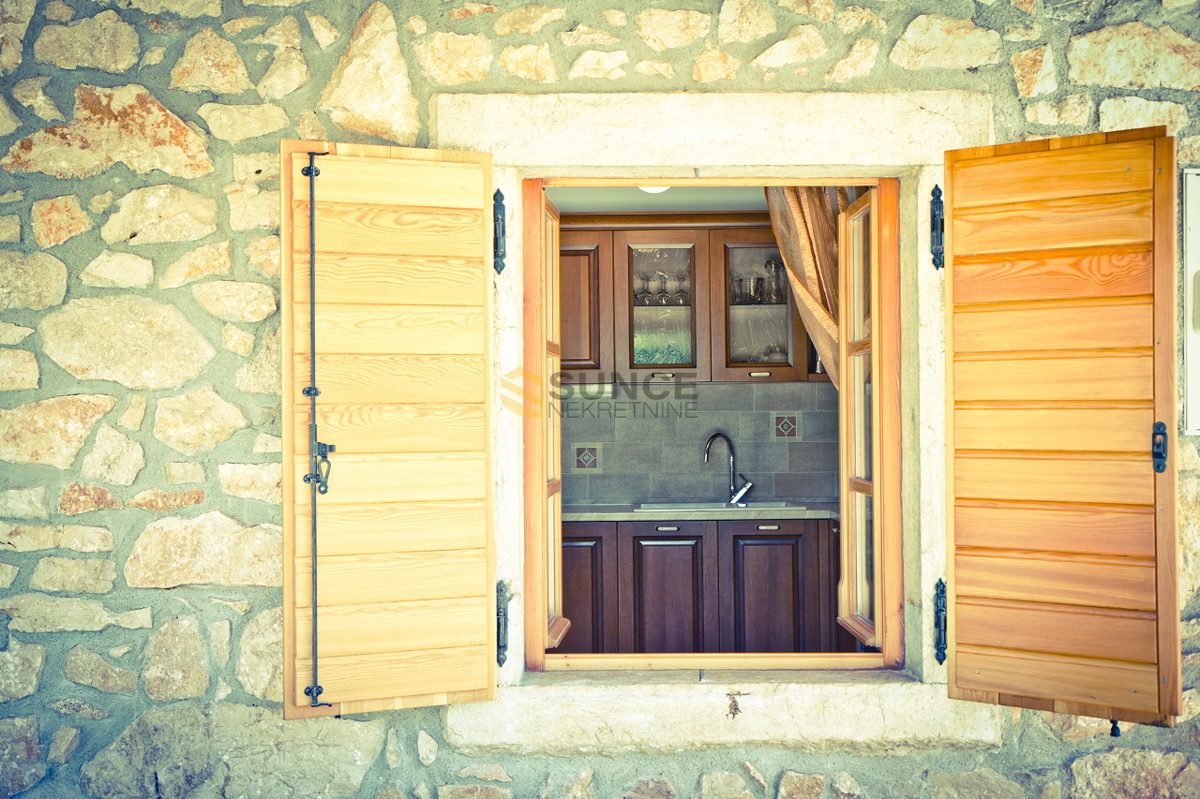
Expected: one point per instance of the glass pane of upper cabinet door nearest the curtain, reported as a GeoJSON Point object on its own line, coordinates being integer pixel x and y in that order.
{"type": "Point", "coordinates": [760, 319]}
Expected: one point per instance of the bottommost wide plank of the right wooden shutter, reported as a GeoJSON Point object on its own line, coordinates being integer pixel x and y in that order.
{"type": "Point", "coordinates": [1059, 677]}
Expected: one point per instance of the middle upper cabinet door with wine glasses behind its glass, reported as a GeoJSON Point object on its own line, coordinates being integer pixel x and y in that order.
{"type": "Point", "coordinates": [662, 317]}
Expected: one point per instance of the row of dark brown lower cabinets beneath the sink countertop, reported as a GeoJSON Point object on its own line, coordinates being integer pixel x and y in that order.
{"type": "Point", "coordinates": [701, 587]}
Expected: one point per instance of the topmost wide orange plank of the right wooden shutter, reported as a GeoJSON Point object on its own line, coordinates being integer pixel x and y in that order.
{"type": "Point", "coordinates": [1076, 172]}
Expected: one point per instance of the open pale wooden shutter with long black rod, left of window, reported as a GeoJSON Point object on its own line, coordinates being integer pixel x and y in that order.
{"type": "Point", "coordinates": [406, 593]}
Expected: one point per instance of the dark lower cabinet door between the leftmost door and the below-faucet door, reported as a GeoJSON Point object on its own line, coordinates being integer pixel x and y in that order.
{"type": "Point", "coordinates": [668, 587]}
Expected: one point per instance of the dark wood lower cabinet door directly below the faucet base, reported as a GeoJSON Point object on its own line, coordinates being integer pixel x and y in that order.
{"type": "Point", "coordinates": [771, 587]}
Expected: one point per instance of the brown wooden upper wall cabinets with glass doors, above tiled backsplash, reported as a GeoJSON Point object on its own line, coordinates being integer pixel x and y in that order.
{"type": "Point", "coordinates": [694, 298]}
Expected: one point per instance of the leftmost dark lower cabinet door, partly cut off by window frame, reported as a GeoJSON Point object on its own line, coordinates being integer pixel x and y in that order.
{"type": "Point", "coordinates": [590, 587]}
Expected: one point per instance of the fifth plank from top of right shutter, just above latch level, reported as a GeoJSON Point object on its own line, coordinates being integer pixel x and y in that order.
{"type": "Point", "coordinates": [1117, 375]}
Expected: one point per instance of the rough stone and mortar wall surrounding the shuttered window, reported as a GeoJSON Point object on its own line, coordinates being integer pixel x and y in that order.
{"type": "Point", "coordinates": [140, 367]}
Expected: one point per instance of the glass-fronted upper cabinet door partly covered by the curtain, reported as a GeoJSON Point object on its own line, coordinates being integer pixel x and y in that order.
{"type": "Point", "coordinates": [758, 333]}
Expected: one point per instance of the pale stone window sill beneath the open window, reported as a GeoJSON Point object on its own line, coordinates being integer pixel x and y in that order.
{"type": "Point", "coordinates": [610, 713]}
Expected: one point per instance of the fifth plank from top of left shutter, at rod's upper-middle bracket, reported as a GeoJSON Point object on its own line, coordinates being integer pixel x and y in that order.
{"type": "Point", "coordinates": [383, 380]}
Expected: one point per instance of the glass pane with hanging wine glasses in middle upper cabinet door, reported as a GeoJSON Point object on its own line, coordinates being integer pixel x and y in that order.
{"type": "Point", "coordinates": [662, 285]}
